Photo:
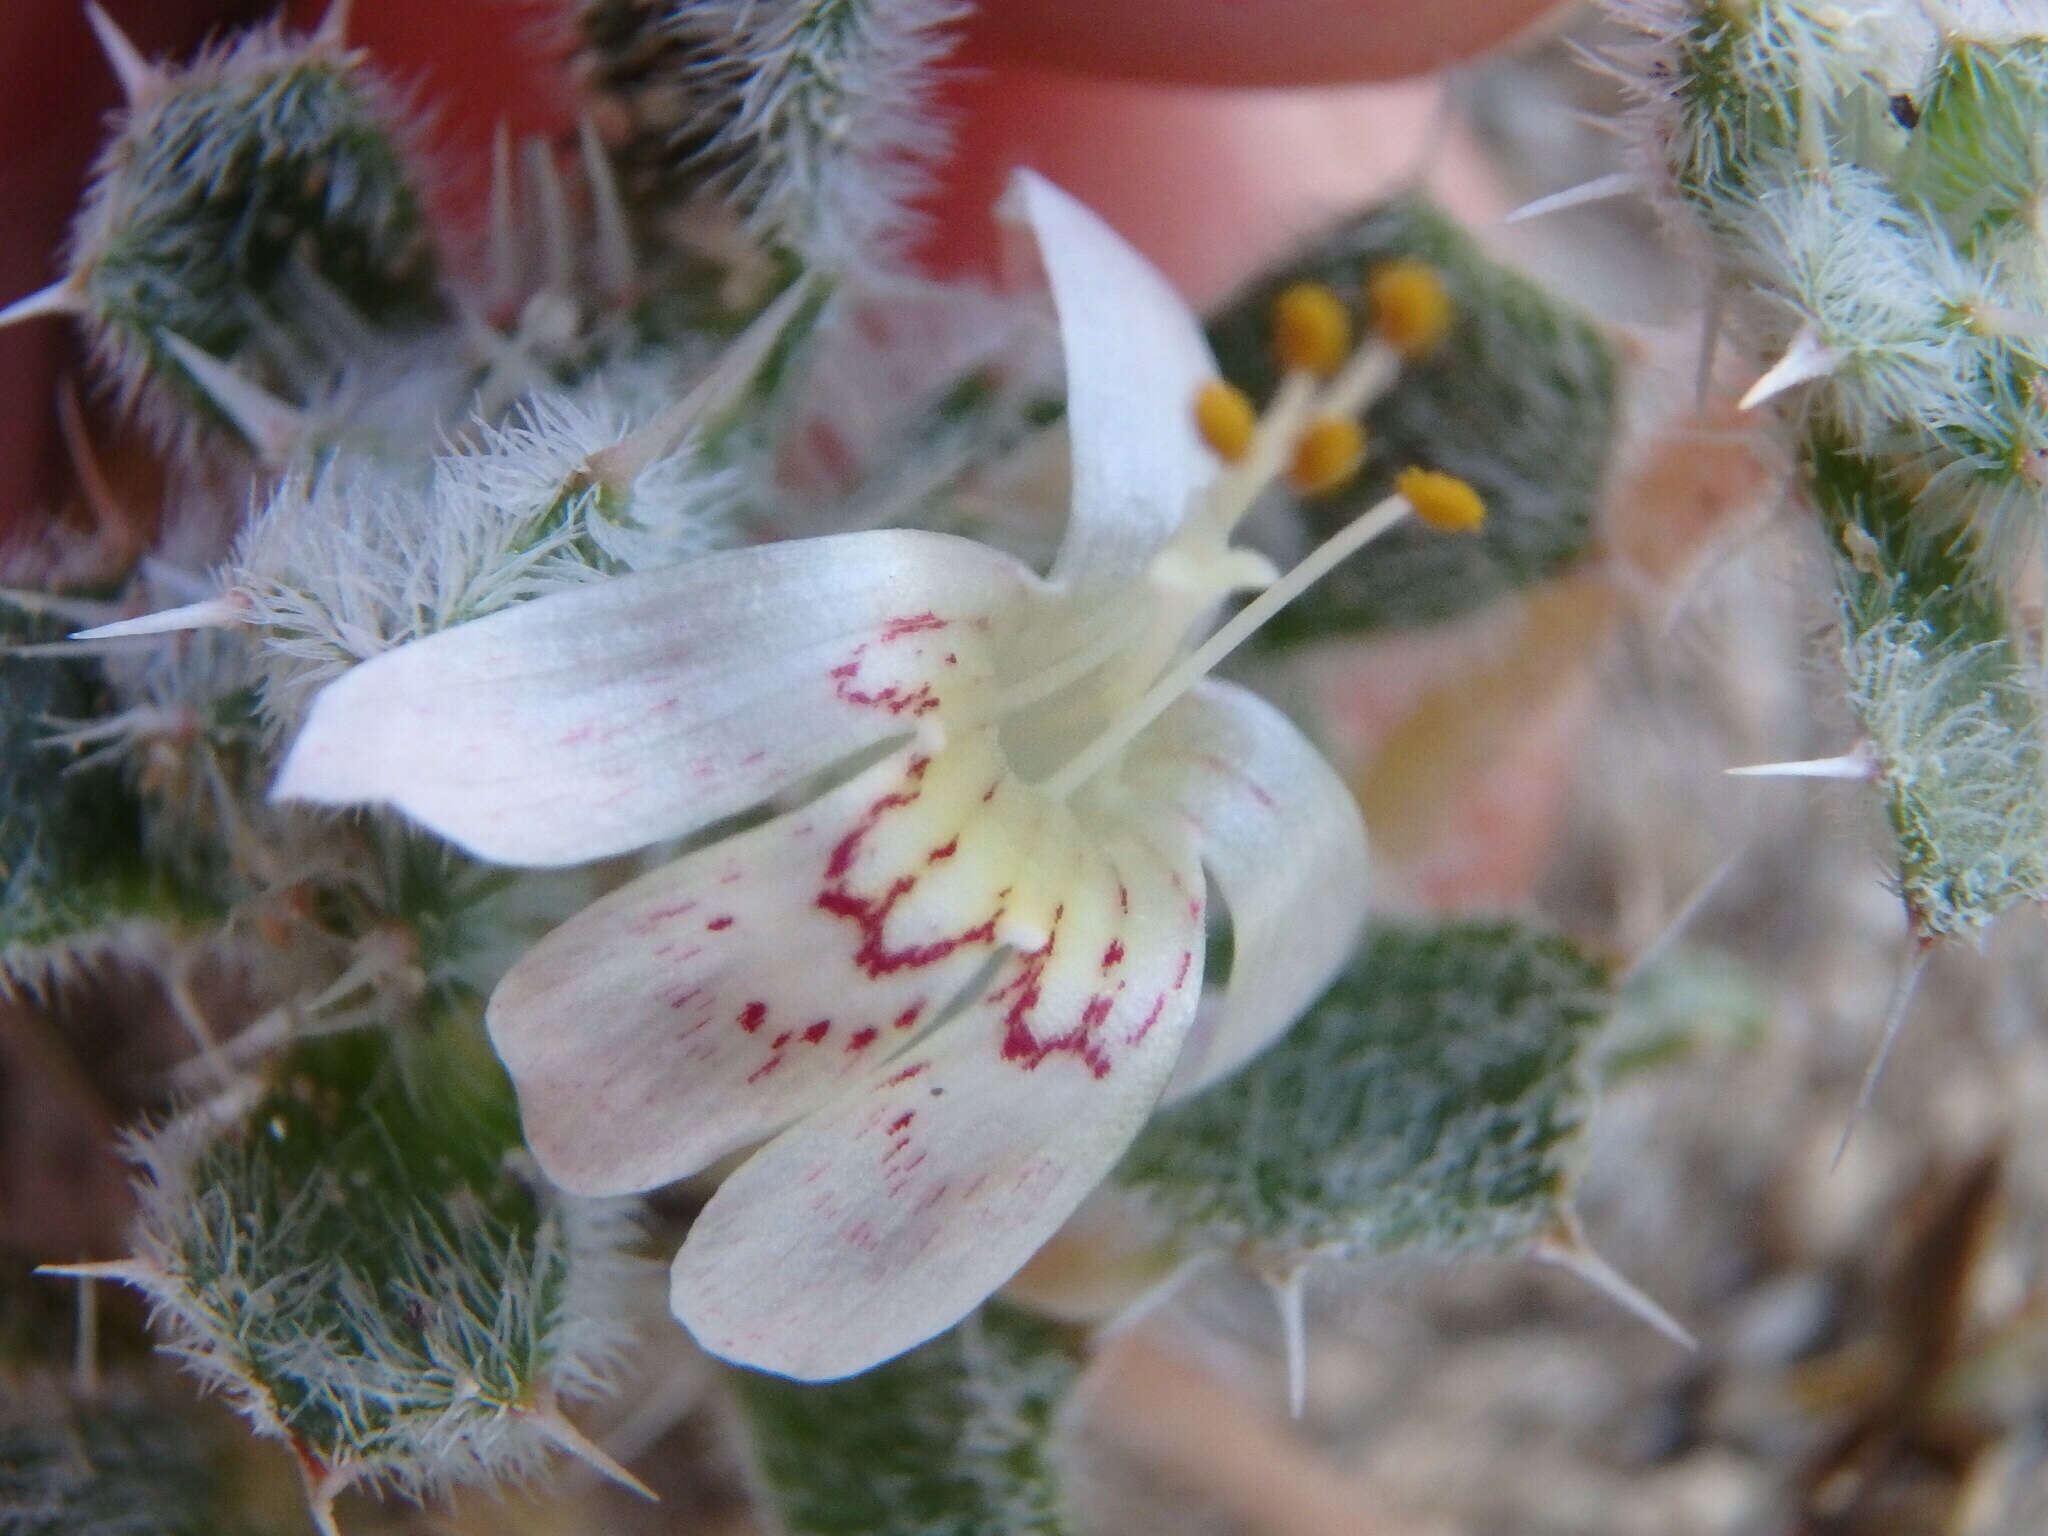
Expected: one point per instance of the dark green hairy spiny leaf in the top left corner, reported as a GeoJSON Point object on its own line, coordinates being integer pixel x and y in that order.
{"type": "Point", "coordinates": [239, 202]}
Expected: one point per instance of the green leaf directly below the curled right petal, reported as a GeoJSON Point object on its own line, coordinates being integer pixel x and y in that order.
{"type": "Point", "coordinates": [1431, 1101]}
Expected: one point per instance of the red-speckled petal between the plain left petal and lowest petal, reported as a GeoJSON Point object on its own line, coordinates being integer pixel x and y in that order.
{"type": "Point", "coordinates": [716, 1000]}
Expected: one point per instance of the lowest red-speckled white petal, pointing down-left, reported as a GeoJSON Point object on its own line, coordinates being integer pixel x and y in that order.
{"type": "Point", "coordinates": [890, 1213]}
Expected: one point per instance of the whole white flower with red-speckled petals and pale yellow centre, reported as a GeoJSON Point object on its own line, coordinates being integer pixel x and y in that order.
{"type": "Point", "coordinates": [949, 990]}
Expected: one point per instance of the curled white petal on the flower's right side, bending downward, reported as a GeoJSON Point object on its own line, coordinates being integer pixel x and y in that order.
{"type": "Point", "coordinates": [1281, 837]}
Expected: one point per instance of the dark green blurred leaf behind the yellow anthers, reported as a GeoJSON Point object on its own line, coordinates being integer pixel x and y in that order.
{"type": "Point", "coordinates": [1519, 400]}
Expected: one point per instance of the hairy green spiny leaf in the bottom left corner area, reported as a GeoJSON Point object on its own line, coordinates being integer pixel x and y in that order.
{"type": "Point", "coordinates": [364, 1269]}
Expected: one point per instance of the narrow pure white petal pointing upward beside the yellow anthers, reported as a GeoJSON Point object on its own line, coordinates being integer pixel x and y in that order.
{"type": "Point", "coordinates": [1136, 361]}
